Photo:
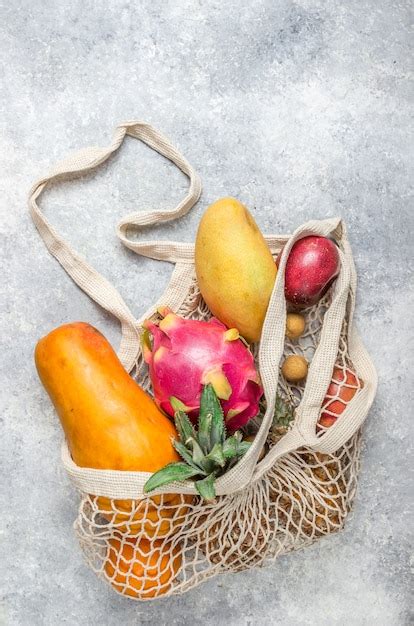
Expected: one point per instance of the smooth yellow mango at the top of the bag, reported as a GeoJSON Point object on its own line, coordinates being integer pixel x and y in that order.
{"type": "Point", "coordinates": [235, 268]}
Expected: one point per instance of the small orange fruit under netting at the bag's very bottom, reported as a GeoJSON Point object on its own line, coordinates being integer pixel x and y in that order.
{"type": "Point", "coordinates": [142, 569]}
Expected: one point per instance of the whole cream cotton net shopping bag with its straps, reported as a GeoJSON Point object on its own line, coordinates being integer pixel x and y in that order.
{"type": "Point", "coordinates": [303, 487]}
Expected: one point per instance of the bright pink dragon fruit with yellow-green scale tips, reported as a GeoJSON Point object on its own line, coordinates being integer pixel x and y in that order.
{"type": "Point", "coordinates": [183, 355]}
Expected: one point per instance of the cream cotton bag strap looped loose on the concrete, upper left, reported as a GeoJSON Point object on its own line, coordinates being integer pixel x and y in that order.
{"type": "Point", "coordinates": [86, 277]}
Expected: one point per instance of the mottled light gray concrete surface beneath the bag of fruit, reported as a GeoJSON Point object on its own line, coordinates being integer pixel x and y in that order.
{"type": "Point", "coordinates": [300, 109]}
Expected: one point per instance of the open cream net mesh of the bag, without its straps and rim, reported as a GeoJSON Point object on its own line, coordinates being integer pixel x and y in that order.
{"type": "Point", "coordinates": [168, 544]}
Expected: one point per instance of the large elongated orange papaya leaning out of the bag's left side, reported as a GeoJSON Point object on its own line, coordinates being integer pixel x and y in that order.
{"type": "Point", "coordinates": [109, 421]}
